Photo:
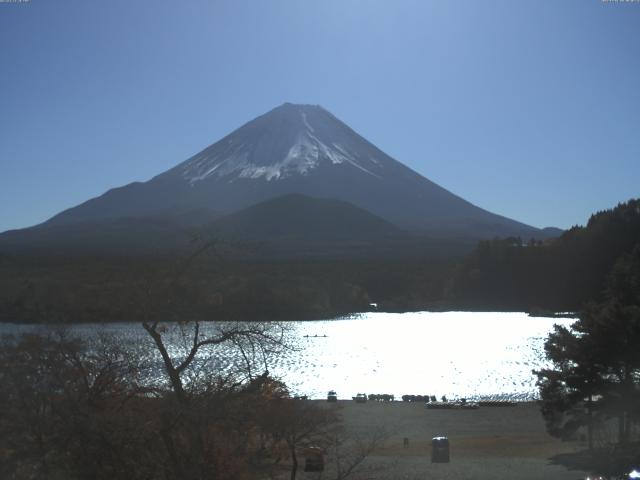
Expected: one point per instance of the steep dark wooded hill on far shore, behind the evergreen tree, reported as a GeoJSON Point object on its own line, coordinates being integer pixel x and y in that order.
{"type": "Point", "coordinates": [556, 275]}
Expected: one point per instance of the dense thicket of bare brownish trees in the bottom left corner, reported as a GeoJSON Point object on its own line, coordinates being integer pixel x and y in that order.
{"type": "Point", "coordinates": [69, 410]}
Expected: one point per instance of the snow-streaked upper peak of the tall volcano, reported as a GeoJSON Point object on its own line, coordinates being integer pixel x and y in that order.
{"type": "Point", "coordinates": [287, 141]}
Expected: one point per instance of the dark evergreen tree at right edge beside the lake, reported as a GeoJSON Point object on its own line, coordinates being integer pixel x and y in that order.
{"type": "Point", "coordinates": [598, 358]}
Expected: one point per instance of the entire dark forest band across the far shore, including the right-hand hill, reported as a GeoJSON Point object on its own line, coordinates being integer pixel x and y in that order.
{"type": "Point", "coordinates": [222, 282]}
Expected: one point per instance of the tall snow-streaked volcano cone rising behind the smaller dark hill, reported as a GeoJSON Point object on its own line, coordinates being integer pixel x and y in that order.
{"type": "Point", "coordinates": [296, 149]}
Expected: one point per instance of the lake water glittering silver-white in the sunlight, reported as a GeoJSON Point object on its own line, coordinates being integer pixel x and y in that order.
{"type": "Point", "coordinates": [457, 354]}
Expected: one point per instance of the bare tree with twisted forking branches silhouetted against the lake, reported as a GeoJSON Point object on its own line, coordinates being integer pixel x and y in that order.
{"type": "Point", "coordinates": [212, 408]}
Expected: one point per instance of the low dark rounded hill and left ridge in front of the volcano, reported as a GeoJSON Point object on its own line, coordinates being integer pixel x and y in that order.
{"type": "Point", "coordinates": [287, 225]}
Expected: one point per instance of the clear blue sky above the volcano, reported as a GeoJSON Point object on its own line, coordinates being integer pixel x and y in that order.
{"type": "Point", "coordinates": [530, 109]}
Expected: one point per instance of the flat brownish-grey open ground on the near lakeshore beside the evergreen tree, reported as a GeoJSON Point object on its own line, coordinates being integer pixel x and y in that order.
{"type": "Point", "coordinates": [488, 443]}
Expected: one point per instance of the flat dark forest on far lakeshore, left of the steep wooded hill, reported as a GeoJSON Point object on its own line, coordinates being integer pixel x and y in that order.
{"type": "Point", "coordinates": [214, 287]}
